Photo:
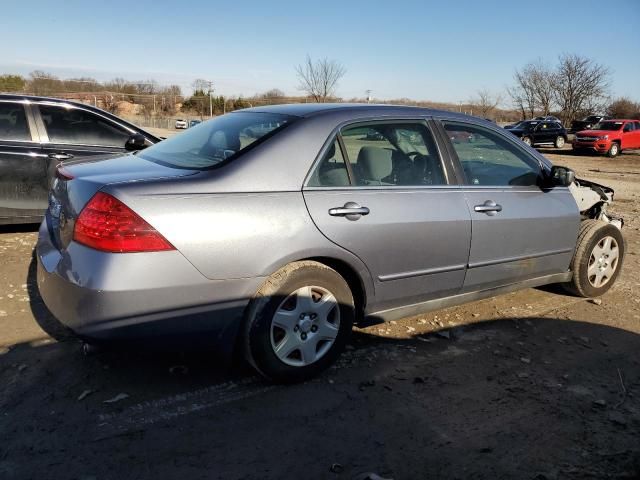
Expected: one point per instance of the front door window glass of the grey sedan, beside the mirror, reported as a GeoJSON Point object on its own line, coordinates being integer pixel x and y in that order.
{"type": "Point", "coordinates": [491, 160]}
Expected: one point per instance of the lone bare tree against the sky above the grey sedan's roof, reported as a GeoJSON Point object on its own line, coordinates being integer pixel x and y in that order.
{"type": "Point", "coordinates": [319, 79]}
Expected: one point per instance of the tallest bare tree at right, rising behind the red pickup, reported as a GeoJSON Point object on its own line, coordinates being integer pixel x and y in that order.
{"type": "Point", "coordinates": [579, 85]}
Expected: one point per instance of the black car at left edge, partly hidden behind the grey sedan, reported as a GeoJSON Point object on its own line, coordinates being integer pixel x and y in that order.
{"type": "Point", "coordinates": [38, 133]}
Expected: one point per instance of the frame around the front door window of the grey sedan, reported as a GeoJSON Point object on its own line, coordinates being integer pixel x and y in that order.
{"type": "Point", "coordinates": [464, 181]}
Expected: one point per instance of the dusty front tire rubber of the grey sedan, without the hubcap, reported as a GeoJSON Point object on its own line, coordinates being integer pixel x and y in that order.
{"type": "Point", "coordinates": [592, 233]}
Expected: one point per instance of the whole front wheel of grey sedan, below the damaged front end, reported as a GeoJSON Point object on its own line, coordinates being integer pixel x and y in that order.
{"type": "Point", "coordinates": [597, 259]}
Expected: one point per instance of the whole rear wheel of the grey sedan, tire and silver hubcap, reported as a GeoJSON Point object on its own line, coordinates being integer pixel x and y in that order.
{"type": "Point", "coordinates": [298, 322]}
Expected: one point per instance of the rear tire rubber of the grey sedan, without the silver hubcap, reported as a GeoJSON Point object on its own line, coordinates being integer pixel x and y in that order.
{"type": "Point", "coordinates": [259, 316]}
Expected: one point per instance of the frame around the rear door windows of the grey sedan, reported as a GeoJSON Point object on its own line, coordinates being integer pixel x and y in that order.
{"type": "Point", "coordinates": [427, 122]}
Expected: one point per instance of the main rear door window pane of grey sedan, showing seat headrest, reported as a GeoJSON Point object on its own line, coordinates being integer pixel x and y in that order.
{"type": "Point", "coordinates": [393, 154]}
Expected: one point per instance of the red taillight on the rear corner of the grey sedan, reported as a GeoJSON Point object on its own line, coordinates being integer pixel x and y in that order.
{"type": "Point", "coordinates": [107, 224]}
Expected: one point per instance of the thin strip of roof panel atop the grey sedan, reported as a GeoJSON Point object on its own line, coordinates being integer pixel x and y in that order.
{"type": "Point", "coordinates": [312, 109]}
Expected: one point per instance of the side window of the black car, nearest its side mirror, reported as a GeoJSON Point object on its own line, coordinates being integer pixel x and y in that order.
{"type": "Point", "coordinates": [79, 127]}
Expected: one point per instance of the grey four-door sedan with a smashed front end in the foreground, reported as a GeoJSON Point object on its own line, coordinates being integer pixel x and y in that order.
{"type": "Point", "coordinates": [279, 244]}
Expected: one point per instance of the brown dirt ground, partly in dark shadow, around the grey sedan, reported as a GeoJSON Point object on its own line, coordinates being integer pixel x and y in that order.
{"type": "Point", "coordinates": [530, 385]}
